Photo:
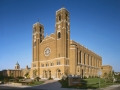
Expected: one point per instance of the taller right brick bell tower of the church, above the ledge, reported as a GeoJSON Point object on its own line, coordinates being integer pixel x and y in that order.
{"type": "Point", "coordinates": [62, 33]}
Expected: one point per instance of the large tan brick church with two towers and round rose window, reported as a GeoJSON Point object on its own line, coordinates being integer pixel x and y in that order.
{"type": "Point", "coordinates": [56, 55]}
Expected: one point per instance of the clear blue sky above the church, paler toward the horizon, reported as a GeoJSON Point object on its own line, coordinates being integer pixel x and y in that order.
{"type": "Point", "coordinates": [93, 23]}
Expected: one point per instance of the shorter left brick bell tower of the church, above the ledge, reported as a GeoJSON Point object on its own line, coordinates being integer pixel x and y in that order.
{"type": "Point", "coordinates": [38, 36]}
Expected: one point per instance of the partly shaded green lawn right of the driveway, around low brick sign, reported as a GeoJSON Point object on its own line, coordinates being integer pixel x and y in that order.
{"type": "Point", "coordinates": [90, 83]}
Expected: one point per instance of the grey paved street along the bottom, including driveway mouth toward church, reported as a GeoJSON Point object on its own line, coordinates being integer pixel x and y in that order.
{"type": "Point", "coordinates": [51, 85]}
